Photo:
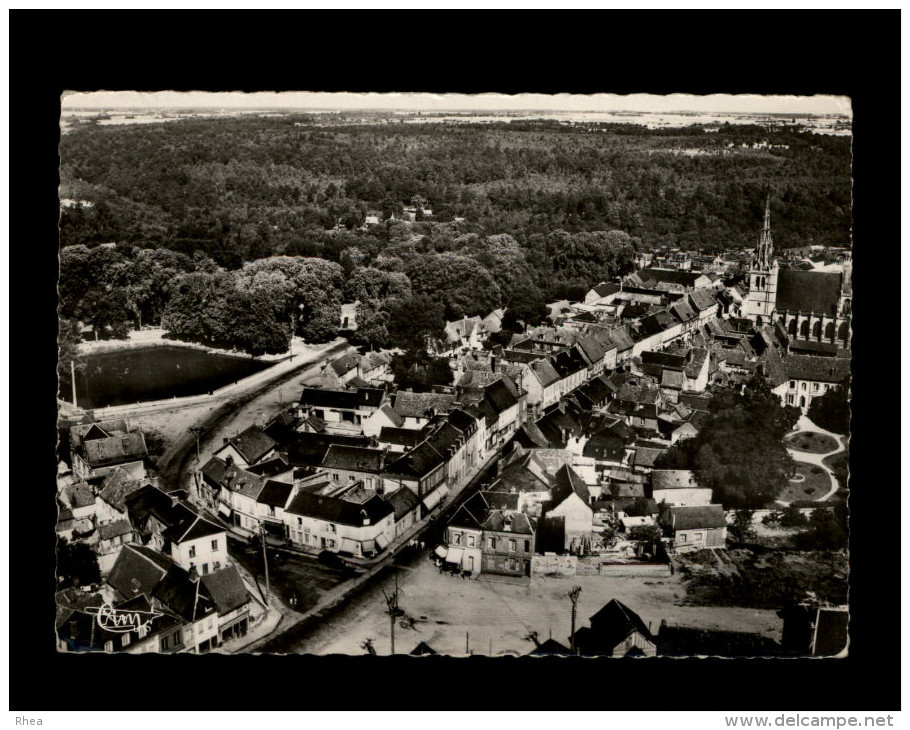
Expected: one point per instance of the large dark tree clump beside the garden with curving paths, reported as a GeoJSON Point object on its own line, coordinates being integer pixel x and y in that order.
{"type": "Point", "coordinates": [739, 452]}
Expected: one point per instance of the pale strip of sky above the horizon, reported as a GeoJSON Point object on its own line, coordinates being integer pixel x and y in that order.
{"type": "Point", "coordinates": [743, 103]}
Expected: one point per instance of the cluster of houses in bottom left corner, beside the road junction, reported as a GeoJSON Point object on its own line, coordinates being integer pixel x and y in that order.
{"type": "Point", "coordinates": [167, 581]}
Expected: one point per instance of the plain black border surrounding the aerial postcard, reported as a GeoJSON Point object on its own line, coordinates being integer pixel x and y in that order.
{"type": "Point", "coordinates": [850, 53]}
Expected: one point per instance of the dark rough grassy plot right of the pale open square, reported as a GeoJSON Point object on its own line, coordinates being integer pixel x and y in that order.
{"type": "Point", "coordinates": [764, 578]}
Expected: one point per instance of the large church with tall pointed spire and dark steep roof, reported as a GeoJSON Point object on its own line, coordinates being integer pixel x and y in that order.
{"type": "Point", "coordinates": [813, 307]}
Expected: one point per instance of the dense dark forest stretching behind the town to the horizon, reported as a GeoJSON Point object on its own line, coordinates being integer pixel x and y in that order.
{"type": "Point", "coordinates": [516, 215]}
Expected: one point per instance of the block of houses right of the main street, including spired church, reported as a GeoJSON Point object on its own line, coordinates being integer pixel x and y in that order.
{"type": "Point", "coordinates": [614, 381]}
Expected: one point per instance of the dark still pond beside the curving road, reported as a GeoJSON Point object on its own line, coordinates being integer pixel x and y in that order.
{"type": "Point", "coordinates": [151, 373]}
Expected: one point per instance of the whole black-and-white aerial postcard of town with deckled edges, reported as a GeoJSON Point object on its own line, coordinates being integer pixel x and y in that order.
{"type": "Point", "coordinates": [430, 374]}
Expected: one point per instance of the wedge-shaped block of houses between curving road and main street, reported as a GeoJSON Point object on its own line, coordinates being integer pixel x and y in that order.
{"type": "Point", "coordinates": [350, 470]}
